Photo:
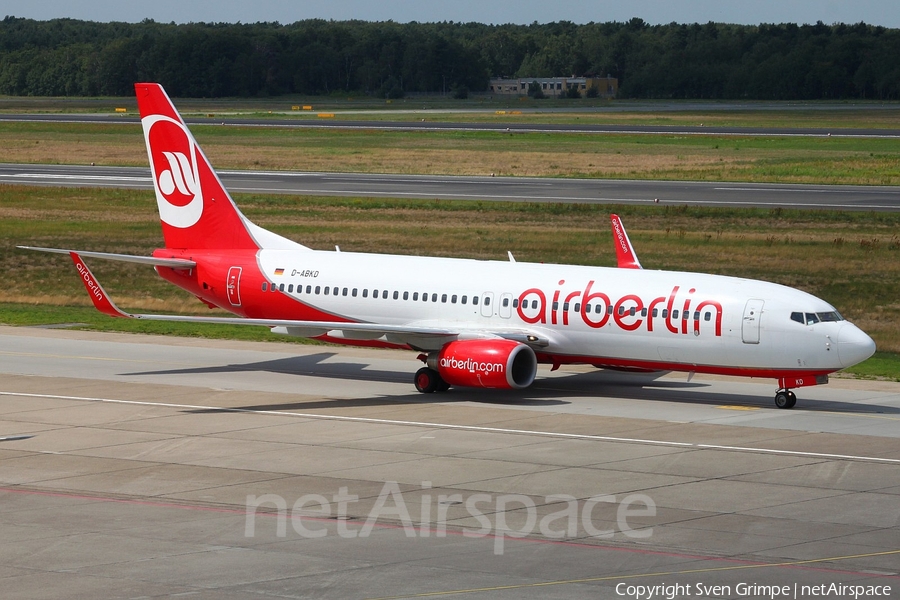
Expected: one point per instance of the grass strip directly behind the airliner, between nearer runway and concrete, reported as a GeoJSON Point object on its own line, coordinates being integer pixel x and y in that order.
{"type": "Point", "coordinates": [849, 259]}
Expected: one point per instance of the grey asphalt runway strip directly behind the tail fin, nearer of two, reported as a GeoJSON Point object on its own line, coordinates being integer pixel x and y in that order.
{"type": "Point", "coordinates": [515, 189]}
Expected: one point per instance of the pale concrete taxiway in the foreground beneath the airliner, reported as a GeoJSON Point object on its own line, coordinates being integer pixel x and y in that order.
{"type": "Point", "coordinates": [138, 465]}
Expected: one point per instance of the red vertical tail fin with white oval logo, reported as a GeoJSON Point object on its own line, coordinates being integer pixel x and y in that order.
{"type": "Point", "coordinates": [195, 210]}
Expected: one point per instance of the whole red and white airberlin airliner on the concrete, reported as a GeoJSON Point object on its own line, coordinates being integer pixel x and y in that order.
{"type": "Point", "coordinates": [474, 323]}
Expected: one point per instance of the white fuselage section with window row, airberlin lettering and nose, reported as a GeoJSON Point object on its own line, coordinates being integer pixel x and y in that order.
{"type": "Point", "coordinates": [636, 319]}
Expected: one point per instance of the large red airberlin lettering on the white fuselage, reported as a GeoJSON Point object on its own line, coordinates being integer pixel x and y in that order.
{"type": "Point", "coordinates": [673, 312]}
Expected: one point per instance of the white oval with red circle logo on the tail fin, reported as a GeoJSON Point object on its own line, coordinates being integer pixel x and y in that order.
{"type": "Point", "coordinates": [173, 161]}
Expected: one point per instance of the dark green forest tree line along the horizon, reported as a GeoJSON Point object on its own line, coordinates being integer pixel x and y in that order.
{"type": "Point", "coordinates": [66, 57]}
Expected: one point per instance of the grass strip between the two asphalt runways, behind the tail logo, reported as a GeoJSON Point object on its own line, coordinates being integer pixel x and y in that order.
{"type": "Point", "coordinates": [714, 158]}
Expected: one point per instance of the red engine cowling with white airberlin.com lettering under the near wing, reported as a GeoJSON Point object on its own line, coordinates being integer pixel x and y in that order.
{"type": "Point", "coordinates": [503, 364]}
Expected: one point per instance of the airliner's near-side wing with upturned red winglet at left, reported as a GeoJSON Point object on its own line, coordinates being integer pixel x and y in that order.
{"type": "Point", "coordinates": [394, 333]}
